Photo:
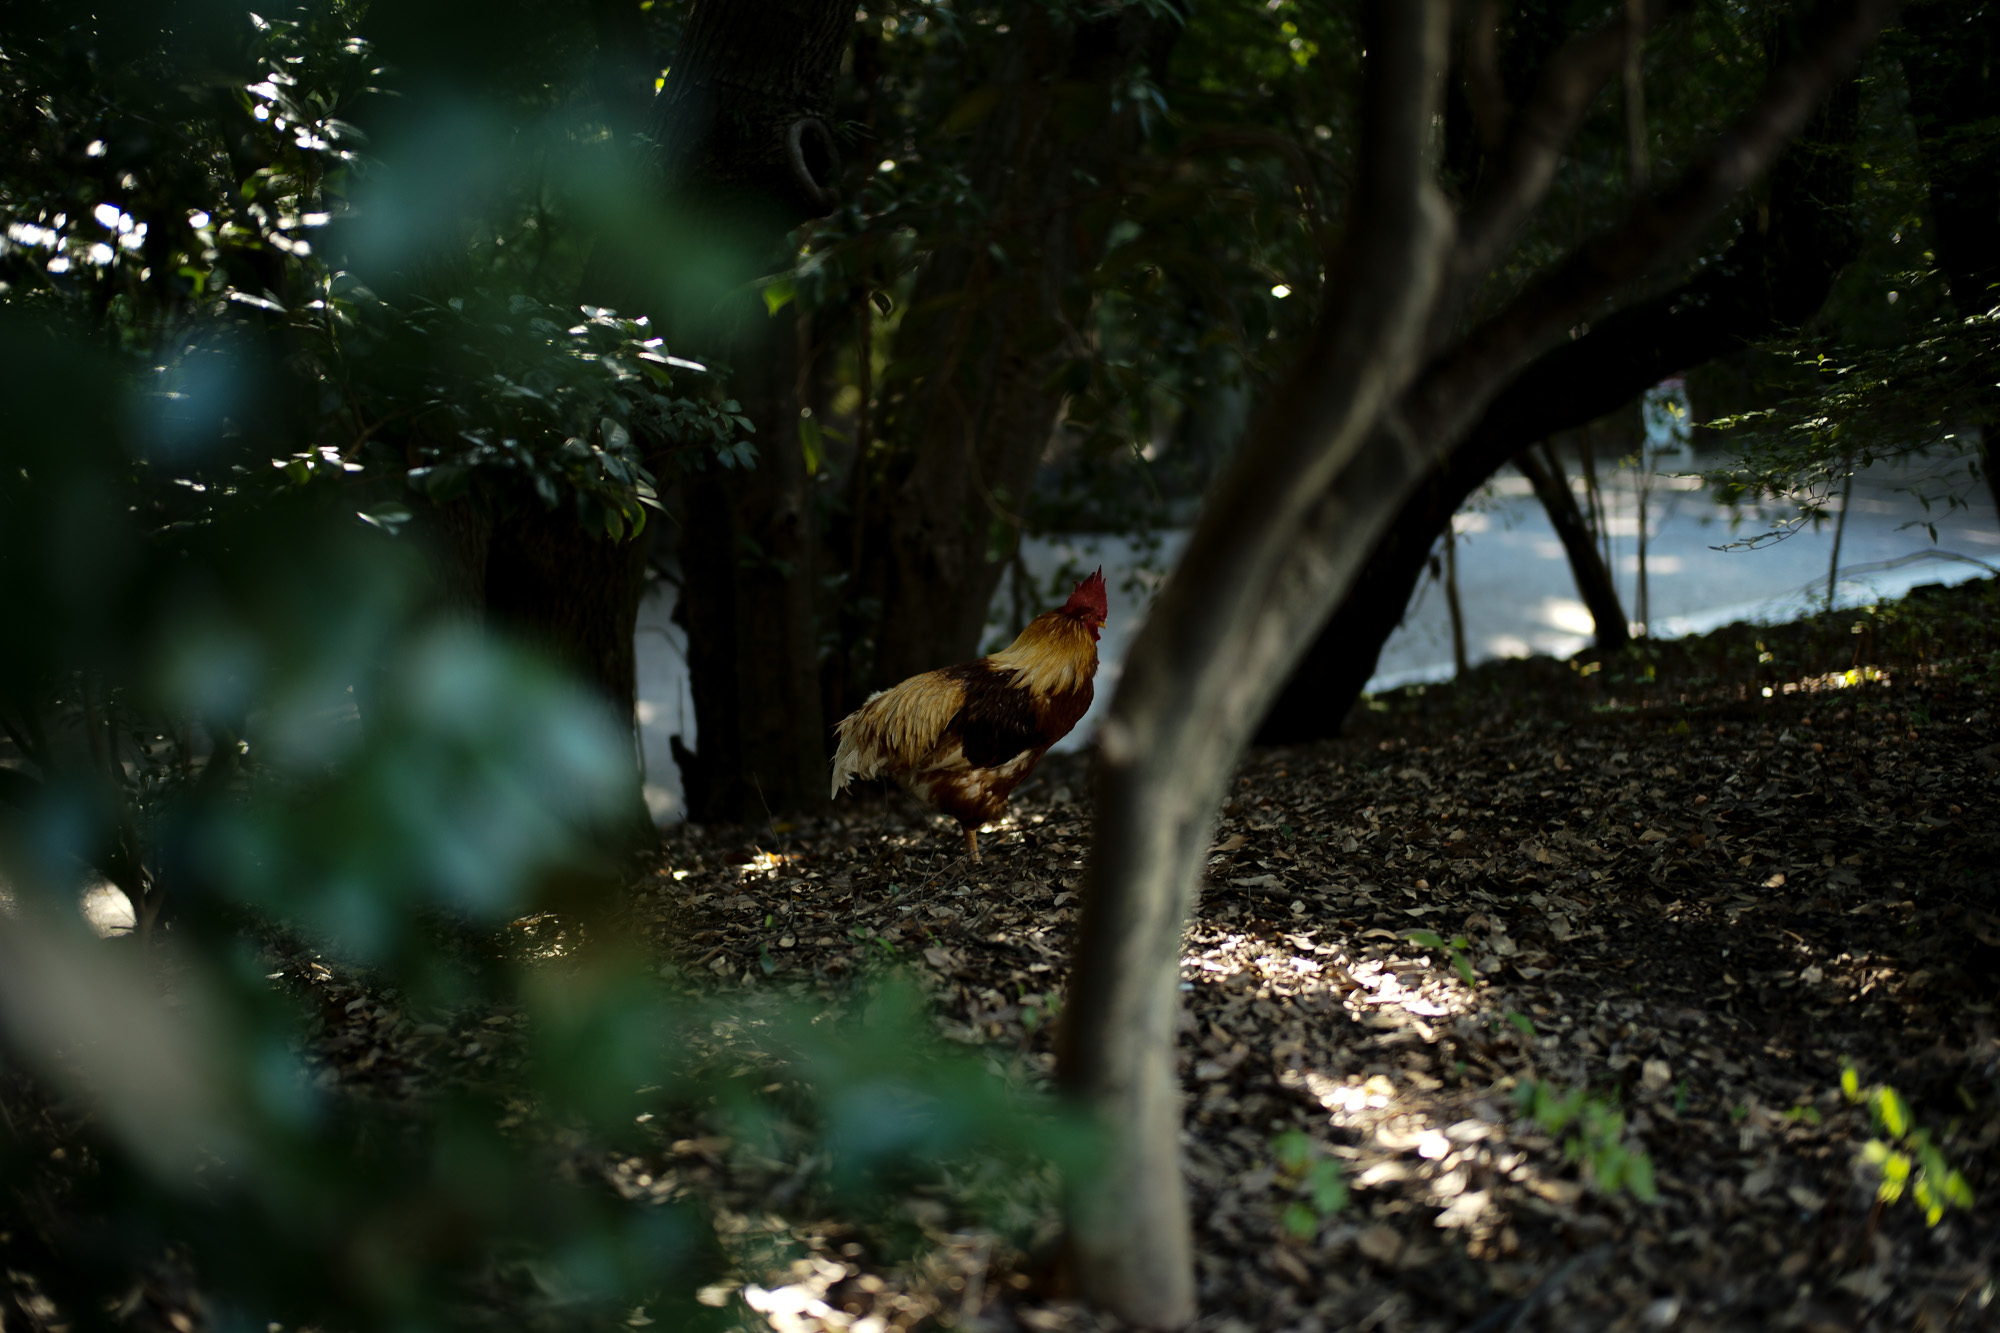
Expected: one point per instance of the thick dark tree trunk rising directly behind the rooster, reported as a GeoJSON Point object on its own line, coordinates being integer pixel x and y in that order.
{"type": "Point", "coordinates": [969, 433]}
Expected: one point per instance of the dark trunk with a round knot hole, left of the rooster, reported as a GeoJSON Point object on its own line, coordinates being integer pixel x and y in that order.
{"type": "Point", "coordinates": [747, 157]}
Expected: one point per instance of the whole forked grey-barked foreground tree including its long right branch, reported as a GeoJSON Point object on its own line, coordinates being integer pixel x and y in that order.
{"type": "Point", "coordinates": [1291, 523]}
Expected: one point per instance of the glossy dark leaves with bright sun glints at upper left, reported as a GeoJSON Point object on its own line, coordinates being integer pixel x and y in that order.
{"type": "Point", "coordinates": [267, 229]}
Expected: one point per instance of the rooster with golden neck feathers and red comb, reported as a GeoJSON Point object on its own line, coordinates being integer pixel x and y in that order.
{"type": "Point", "coordinates": [963, 738]}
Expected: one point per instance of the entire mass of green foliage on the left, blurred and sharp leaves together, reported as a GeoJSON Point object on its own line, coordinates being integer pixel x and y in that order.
{"type": "Point", "coordinates": [245, 345]}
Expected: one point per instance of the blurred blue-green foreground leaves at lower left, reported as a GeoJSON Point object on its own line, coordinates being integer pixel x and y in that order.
{"type": "Point", "coordinates": [459, 796]}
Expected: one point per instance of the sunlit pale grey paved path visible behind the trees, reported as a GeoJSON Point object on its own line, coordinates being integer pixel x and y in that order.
{"type": "Point", "coordinates": [1515, 587]}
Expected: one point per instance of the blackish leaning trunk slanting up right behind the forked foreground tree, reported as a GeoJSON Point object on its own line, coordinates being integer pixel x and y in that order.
{"type": "Point", "coordinates": [1773, 277]}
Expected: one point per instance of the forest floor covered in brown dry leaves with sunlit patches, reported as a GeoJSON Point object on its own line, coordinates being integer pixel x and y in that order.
{"type": "Point", "coordinates": [1691, 888]}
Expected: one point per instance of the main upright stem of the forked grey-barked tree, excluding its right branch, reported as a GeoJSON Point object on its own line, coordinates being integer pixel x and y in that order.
{"type": "Point", "coordinates": [1263, 555]}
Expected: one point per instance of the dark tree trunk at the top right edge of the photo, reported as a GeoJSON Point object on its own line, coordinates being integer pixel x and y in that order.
{"type": "Point", "coordinates": [1955, 85]}
